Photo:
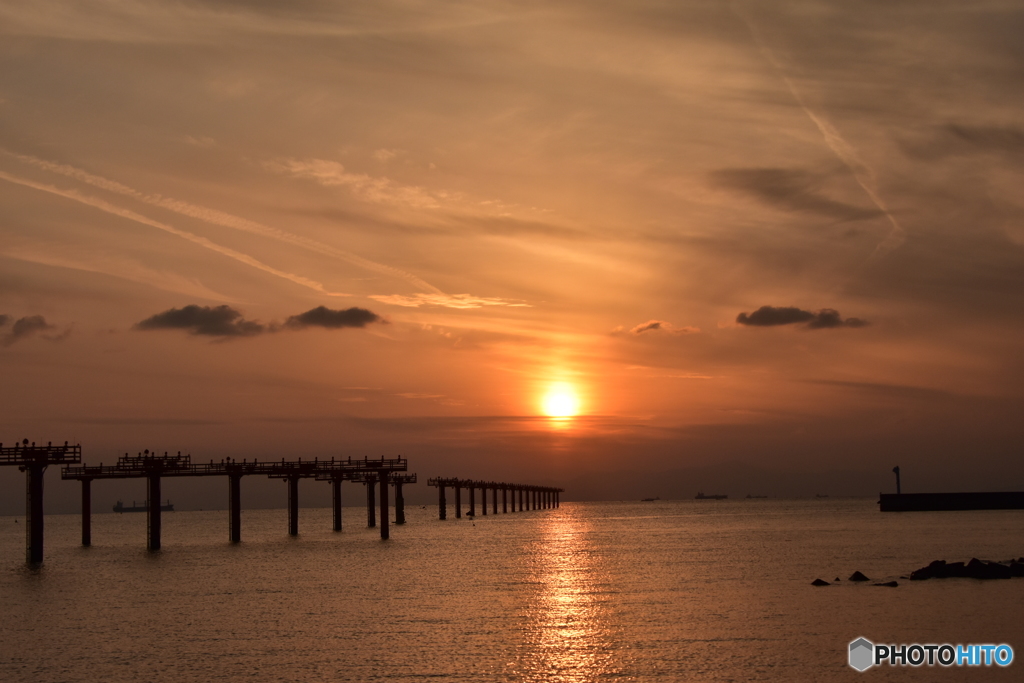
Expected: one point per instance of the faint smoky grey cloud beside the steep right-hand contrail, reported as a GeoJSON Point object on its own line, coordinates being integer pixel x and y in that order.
{"type": "Point", "coordinates": [790, 190]}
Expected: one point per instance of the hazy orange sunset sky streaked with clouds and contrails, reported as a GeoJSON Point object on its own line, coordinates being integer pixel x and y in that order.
{"type": "Point", "coordinates": [773, 248]}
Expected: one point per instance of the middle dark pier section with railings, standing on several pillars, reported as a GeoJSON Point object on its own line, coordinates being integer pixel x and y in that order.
{"type": "Point", "coordinates": [154, 467]}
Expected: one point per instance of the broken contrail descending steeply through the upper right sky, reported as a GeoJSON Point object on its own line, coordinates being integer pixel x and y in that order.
{"type": "Point", "coordinates": [862, 172]}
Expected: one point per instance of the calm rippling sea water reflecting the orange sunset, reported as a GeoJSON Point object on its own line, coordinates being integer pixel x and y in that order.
{"type": "Point", "coordinates": [663, 591]}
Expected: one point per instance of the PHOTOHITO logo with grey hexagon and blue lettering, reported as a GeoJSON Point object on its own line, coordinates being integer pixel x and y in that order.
{"type": "Point", "coordinates": [865, 655]}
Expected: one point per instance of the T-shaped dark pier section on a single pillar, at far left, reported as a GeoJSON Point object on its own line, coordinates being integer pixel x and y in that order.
{"type": "Point", "coordinates": [33, 460]}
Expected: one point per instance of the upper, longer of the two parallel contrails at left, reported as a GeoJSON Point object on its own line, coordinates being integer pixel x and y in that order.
{"type": "Point", "coordinates": [225, 220]}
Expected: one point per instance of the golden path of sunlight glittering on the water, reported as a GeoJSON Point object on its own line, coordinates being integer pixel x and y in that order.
{"type": "Point", "coordinates": [573, 638]}
